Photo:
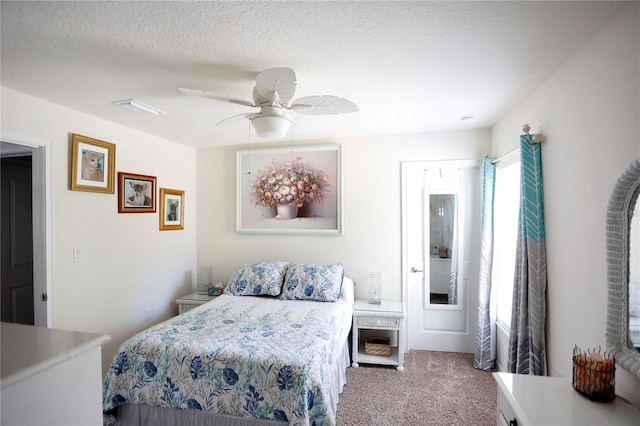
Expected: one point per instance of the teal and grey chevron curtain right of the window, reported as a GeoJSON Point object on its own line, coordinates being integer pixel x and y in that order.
{"type": "Point", "coordinates": [527, 352]}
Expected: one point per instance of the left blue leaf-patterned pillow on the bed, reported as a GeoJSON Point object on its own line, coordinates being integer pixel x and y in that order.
{"type": "Point", "coordinates": [257, 279]}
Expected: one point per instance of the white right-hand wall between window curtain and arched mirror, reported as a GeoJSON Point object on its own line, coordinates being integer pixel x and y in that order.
{"type": "Point", "coordinates": [589, 111]}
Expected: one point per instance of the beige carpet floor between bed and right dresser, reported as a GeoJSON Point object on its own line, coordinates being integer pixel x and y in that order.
{"type": "Point", "coordinates": [436, 388]}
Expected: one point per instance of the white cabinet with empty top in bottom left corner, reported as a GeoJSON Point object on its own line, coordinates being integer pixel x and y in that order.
{"type": "Point", "coordinates": [50, 377]}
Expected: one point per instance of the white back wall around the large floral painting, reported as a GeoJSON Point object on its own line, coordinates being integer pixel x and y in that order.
{"type": "Point", "coordinates": [372, 228]}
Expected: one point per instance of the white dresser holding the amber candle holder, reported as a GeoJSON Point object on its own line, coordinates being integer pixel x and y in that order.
{"type": "Point", "coordinates": [534, 400]}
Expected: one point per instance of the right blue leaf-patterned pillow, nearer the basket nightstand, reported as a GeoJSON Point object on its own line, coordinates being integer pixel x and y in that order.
{"type": "Point", "coordinates": [322, 283]}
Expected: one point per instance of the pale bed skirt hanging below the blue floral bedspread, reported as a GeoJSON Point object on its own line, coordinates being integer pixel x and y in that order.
{"type": "Point", "coordinates": [138, 415]}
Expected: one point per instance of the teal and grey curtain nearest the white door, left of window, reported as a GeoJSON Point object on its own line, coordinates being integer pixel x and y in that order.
{"type": "Point", "coordinates": [485, 352]}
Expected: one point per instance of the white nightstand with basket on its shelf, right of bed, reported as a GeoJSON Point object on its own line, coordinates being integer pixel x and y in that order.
{"type": "Point", "coordinates": [386, 316]}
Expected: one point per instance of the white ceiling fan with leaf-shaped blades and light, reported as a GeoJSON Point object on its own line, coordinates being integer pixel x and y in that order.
{"type": "Point", "coordinates": [272, 93]}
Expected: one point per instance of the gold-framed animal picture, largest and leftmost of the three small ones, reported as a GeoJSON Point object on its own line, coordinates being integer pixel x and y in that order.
{"type": "Point", "coordinates": [92, 165]}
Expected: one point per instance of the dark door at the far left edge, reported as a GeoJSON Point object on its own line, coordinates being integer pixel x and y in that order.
{"type": "Point", "coordinates": [17, 240]}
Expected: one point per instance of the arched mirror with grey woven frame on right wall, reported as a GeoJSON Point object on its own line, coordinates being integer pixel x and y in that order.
{"type": "Point", "coordinates": [623, 271]}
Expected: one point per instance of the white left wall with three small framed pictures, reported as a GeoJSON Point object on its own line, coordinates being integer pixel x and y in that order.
{"type": "Point", "coordinates": [129, 264]}
